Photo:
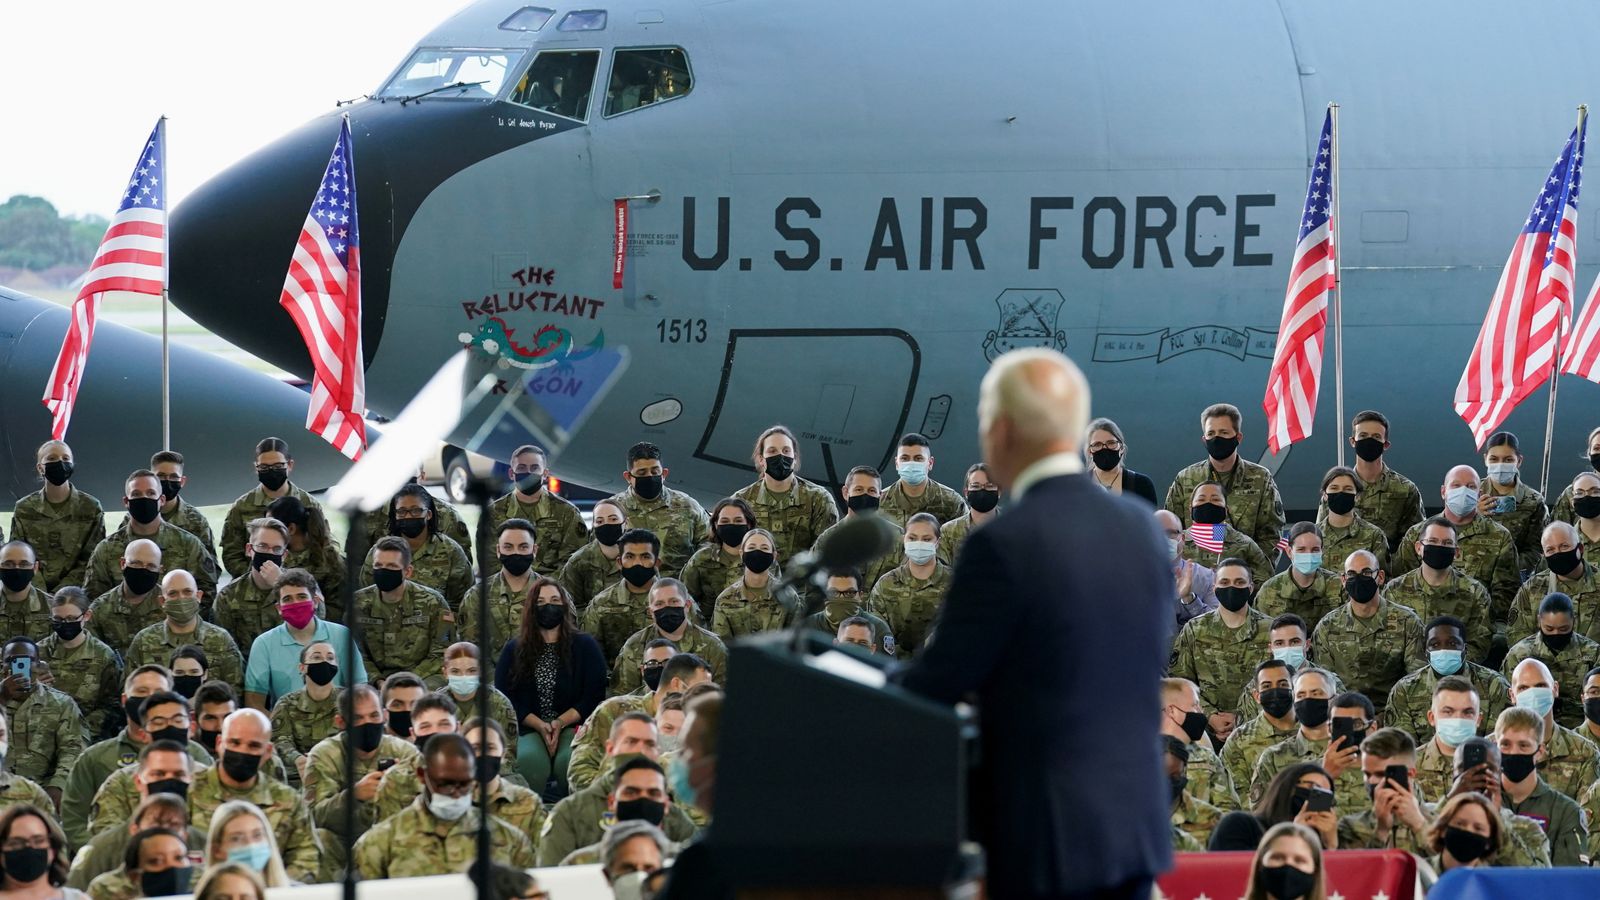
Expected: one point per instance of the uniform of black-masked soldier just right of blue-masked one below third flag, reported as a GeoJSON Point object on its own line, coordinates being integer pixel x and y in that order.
{"type": "Point", "coordinates": [1372, 653]}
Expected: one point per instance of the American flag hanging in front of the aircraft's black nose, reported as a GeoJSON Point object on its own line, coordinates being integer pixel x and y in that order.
{"type": "Point", "coordinates": [322, 292]}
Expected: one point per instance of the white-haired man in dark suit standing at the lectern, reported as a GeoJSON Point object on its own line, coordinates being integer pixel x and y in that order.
{"type": "Point", "coordinates": [1058, 621]}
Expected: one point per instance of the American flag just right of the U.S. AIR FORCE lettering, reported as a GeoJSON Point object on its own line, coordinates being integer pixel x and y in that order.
{"type": "Point", "coordinates": [1297, 363]}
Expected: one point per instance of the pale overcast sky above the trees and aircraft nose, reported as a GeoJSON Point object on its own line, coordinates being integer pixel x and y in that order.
{"type": "Point", "coordinates": [87, 81]}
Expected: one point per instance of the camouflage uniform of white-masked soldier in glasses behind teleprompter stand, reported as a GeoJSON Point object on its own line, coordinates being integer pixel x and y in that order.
{"type": "Point", "coordinates": [415, 843]}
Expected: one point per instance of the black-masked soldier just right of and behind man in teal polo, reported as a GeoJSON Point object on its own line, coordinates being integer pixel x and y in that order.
{"type": "Point", "coordinates": [404, 627]}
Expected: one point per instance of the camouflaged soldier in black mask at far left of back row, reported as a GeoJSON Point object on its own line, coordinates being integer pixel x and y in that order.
{"type": "Point", "coordinates": [62, 523]}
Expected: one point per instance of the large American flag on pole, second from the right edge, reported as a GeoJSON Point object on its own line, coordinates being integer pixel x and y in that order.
{"type": "Point", "coordinates": [1532, 305]}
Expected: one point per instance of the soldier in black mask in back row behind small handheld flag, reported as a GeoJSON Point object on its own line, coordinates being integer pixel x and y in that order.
{"type": "Point", "coordinates": [1254, 505]}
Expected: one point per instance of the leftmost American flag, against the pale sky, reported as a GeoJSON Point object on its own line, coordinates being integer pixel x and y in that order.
{"type": "Point", "coordinates": [132, 259]}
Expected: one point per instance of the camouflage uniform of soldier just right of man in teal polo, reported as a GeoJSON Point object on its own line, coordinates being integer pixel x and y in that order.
{"type": "Point", "coordinates": [404, 637]}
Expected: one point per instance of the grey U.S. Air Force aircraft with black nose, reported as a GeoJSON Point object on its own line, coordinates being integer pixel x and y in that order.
{"type": "Point", "coordinates": [839, 214]}
